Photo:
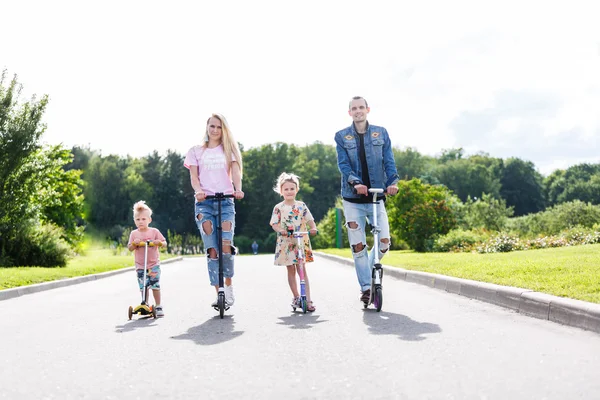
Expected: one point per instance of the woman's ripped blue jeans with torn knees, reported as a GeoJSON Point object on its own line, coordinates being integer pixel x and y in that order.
{"type": "Point", "coordinates": [207, 210]}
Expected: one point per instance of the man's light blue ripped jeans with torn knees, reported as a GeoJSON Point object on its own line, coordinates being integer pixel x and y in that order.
{"type": "Point", "coordinates": [360, 213]}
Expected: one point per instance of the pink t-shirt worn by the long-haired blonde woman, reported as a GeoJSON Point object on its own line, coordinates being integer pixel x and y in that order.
{"type": "Point", "coordinates": [212, 169]}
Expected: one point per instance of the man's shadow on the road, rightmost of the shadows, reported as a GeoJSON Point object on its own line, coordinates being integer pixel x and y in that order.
{"type": "Point", "coordinates": [386, 323]}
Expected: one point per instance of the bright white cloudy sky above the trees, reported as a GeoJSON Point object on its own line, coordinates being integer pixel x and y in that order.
{"type": "Point", "coordinates": [509, 78]}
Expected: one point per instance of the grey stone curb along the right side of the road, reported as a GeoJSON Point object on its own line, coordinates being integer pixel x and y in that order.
{"type": "Point", "coordinates": [576, 313]}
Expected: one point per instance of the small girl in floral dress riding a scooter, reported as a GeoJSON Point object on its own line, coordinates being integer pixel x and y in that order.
{"type": "Point", "coordinates": [292, 215]}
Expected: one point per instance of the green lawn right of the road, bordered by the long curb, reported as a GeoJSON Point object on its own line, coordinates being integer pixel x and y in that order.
{"type": "Point", "coordinates": [572, 272]}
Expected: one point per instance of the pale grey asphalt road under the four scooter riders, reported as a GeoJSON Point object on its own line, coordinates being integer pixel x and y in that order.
{"type": "Point", "coordinates": [76, 343]}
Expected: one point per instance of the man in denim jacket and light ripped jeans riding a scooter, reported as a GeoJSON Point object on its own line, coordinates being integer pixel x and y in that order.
{"type": "Point", "coordinates": [366, 160]}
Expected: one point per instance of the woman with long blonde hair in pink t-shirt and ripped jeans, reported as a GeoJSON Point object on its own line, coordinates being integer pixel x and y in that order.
{"type": "Point", "coordinates": [216, 167]}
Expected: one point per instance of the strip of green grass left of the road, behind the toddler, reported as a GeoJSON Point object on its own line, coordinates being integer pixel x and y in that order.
{"type": "Point", "coordinates": [94, 261]}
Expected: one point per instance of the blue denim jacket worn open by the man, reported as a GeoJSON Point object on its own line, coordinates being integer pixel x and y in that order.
{"type": "Point", "coordinates": [379, 155]}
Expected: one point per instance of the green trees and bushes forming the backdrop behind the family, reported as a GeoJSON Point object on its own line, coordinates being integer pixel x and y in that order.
{"type": "Point", "coordinates": [49, 195]}
